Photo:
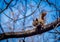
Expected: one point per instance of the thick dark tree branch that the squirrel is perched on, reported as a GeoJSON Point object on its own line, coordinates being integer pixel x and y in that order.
{"type": "Point", "coordinates": [28, 33]}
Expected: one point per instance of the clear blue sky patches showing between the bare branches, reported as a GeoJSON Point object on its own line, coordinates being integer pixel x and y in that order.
{"type": "Point", "coordinates": [18, 9]}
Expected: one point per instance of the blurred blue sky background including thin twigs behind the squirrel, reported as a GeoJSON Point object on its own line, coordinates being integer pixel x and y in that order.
{"type": "Point", "coordinates": [19, 9]}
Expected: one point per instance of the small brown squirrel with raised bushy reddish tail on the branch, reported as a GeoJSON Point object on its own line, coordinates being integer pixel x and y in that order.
{"type": "Point", "coordinates": [40, 20]}
